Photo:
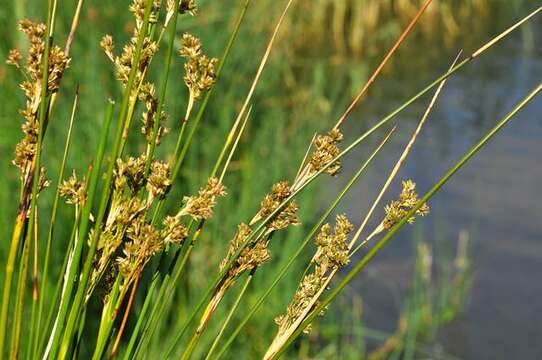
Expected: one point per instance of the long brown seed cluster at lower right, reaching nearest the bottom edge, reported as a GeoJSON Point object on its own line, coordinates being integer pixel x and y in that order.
{"type": "Point", "coordinates": [332, 253]}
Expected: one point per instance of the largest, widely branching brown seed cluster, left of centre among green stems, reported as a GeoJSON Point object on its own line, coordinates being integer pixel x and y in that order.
{"type": "Point", "coordinates": [127, 227]}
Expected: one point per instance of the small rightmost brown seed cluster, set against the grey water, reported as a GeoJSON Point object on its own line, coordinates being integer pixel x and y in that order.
{"type": "Point", "coordinates": [397, 209]}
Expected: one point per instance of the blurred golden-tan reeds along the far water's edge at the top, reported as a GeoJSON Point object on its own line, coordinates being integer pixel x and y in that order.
{"type": "Point", "coordinates": [355, 29]}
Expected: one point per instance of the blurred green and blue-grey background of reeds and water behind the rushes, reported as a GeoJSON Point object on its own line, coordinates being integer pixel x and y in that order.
{"type": "Point", "coordinates": [325, 52]}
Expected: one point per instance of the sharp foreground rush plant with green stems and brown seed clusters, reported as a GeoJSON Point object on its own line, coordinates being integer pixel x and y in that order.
{"type": "Point", "coordinates": [119, 229]}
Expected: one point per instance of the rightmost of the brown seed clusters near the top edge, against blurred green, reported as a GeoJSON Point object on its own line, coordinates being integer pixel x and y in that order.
{"type": "Point", "coordinates": [199, 70]}
